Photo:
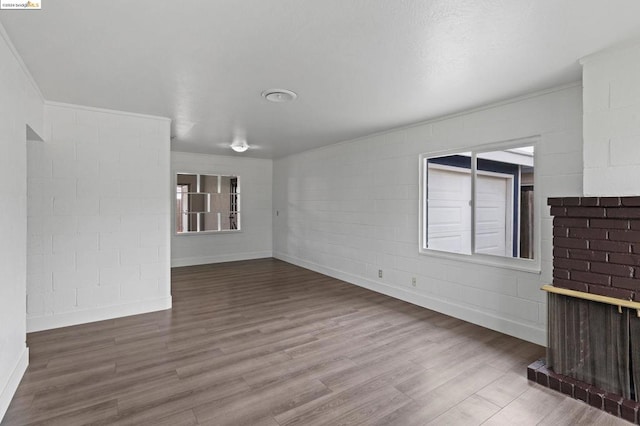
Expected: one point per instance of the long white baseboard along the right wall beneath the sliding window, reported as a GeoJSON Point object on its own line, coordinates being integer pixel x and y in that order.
{"type": "Point", "coordinates": [503, 325]}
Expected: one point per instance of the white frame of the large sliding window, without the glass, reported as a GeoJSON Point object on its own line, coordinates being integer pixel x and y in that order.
{"type": "Point", "coordinates": [516, 263]}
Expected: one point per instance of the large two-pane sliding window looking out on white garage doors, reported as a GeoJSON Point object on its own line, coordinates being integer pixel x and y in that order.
{"type": "Point", "coordinates": [479, 203]}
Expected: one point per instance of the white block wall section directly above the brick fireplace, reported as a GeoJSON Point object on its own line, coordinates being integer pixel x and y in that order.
{"type": "Point", "coordinates": [611, 82]}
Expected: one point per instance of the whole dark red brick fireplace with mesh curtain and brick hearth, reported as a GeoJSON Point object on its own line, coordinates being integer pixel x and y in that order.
{"type": "Point", "coordinates": [596, 250]}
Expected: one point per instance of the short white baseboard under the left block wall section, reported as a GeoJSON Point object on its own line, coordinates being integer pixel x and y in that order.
{"type": "Point", "coordinates": [98, 314]}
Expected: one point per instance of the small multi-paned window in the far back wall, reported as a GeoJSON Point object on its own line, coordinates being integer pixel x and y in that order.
{"type": "Point", "coordinates": [207, 203]}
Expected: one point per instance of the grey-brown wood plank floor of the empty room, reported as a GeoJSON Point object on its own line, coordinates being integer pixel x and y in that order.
{"type": "Point", "coordinates": [267, 343]}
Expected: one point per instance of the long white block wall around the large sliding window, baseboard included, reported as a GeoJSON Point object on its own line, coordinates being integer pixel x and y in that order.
{"type": "Point", "coordinates": [350, 209]}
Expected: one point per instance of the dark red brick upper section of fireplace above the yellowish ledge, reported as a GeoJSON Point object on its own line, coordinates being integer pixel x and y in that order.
{"type": "Point", "coordinates": [596, 245]}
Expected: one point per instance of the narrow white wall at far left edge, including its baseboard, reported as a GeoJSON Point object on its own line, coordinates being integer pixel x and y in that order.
{"type": "Point", "coordinates": [20, 104]}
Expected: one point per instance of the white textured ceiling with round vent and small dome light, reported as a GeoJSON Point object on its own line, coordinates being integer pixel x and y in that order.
{"type": "Point", "coordinates": [358, 66]}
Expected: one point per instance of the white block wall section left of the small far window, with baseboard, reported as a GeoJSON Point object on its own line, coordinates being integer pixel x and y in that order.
{"type": "Point", "coordinates": [98, 217]}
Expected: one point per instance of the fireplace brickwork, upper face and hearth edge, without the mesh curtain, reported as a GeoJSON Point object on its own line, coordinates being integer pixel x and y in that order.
{"type": "Point", "coordinates": [596, 249]}
